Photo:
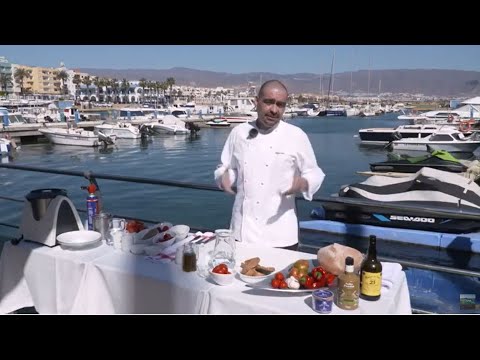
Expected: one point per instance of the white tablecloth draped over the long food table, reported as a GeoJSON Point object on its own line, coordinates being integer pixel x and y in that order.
{"type": "Point", "coordinates": [105, 281]}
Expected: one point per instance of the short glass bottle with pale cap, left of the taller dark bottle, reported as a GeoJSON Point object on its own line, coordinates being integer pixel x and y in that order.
{"type": "Point", "coordinates": [348, 288]}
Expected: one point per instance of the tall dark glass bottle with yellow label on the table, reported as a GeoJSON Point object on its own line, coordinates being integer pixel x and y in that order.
{"type": "Point", "coordinates": [371, 273]}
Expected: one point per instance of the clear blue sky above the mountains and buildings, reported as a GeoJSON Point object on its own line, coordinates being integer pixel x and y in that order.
{"type": "Point", "coordinates": [280, 59]}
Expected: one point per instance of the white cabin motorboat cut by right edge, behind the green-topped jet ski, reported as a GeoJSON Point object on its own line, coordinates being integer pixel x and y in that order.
{"type": "Point", "coordinates": [447, 139]}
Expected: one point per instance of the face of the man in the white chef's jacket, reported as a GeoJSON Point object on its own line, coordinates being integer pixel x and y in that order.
{"type": "Point", "coordinates": [271, 105]}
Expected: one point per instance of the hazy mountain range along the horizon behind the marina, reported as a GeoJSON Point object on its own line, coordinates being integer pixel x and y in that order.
{"type": "Point", "coordinates": [433, 82]}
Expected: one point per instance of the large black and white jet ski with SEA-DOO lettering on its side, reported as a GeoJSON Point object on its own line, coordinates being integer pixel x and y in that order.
{"type": "Point", "coordinates": [430, 199]}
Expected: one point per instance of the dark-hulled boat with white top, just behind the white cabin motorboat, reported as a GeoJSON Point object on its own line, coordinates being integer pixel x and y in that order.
{"type": "Point", "coordinates": [383, 136]}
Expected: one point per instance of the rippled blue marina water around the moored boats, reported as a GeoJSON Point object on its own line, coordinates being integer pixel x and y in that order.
{"type": "Point", "coordinates": [193, 160]}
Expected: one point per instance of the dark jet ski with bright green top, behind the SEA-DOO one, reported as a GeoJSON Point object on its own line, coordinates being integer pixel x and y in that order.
{"type": "Point", "coordinates": [439, 159]}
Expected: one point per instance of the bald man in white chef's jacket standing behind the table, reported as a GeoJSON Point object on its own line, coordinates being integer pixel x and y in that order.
{"type": "Point", "coordinates": [269, 161]}
